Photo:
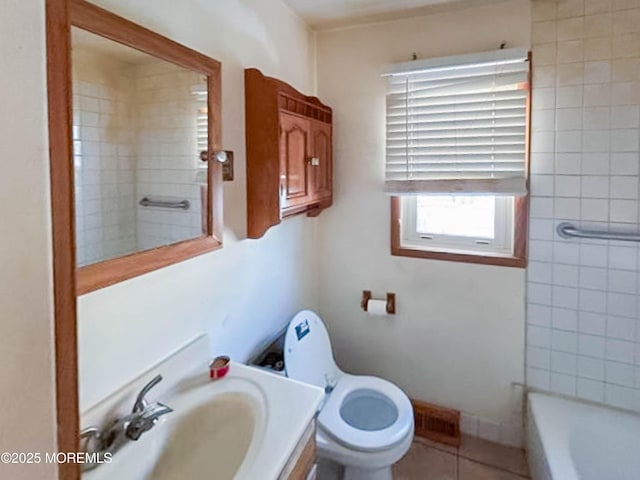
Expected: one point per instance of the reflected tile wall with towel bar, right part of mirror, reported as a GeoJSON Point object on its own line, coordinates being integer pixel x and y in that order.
{"type": "Point", "coordinates": [168, 163]}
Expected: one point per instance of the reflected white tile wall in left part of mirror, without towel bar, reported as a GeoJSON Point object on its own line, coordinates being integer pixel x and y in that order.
{"type": "Point", "coordinates": [103, 158]}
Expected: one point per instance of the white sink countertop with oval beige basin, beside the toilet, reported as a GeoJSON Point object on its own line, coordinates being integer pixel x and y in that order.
{"type": "Point", "coordinates": [244, 426]}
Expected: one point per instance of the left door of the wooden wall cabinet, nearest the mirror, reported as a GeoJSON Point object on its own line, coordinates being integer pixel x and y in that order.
{"type": "Point", "coordinates": [294, 152]}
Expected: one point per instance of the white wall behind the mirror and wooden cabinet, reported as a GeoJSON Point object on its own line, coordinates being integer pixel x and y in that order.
{"type": "Point", "coordinates": [247, 290]}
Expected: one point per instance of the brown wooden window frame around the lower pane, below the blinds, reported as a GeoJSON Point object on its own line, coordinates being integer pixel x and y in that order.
{"type": "Point", "coordinates": [520, 234]}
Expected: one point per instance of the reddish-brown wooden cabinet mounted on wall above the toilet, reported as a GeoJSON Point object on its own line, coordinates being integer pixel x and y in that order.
{"type": "Point", "coordinates": [289, 153]}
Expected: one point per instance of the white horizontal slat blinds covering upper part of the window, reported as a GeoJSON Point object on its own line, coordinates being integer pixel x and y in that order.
{"type": "Point", "coordinates": [458, 125]}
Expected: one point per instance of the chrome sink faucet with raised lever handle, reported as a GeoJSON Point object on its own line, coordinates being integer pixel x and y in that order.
{"type": "Point", "coordinates": [142, 418]}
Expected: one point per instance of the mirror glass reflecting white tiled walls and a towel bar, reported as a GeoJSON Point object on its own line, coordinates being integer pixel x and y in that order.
{"type": "Point", "coordinates": [138, 128]}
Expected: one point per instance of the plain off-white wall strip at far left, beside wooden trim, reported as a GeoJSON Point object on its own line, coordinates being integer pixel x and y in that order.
{"type": "Point", "coordinates": [27, 412]}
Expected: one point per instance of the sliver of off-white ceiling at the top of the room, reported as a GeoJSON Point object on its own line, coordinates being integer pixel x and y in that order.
{"type": "Point", "coordinates": [340, 13]}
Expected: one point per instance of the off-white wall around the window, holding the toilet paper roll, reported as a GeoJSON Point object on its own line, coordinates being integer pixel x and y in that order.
{"type": "Point", "coordinates": [458, 337]}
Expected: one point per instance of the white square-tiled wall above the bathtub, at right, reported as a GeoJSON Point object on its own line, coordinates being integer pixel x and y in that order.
{"type": "Point", "coordinates": [583, 335]}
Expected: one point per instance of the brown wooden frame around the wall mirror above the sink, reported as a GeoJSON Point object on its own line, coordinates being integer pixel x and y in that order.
{"type": "Point", "coordinates": [101, 22]}
